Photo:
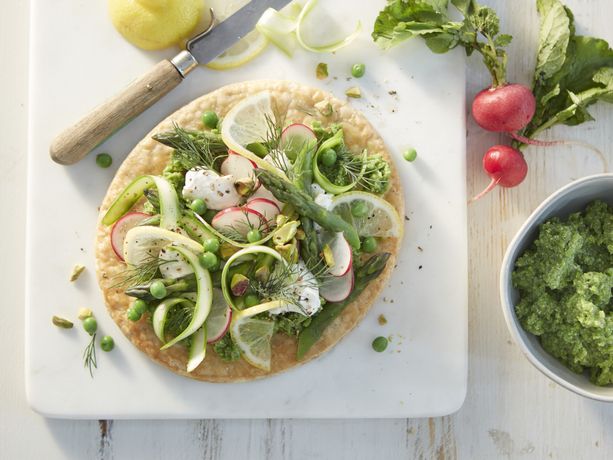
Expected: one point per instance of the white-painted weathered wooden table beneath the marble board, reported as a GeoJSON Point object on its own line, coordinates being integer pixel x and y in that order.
{"type": "Point", "coordinates": [511, 410]}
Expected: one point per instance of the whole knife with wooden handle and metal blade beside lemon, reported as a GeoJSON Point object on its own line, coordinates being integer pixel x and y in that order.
{"type": "Point", "coordinates": [77, 141]}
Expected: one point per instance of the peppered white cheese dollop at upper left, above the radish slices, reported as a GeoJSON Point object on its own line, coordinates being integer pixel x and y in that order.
{"type": "Point", "coordinates": [218, 192]}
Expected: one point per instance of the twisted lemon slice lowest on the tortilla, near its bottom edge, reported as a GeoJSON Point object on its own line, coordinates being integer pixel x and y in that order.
{"type": "Point", "coordinates": [253, 335]}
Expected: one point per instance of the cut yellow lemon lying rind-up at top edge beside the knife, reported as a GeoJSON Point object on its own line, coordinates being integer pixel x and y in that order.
{"type": "Point", "coordinates": [155, 24]}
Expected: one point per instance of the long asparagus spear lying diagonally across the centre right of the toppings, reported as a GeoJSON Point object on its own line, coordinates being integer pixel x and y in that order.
{"type": "Point", "coordinates": [288, 193]}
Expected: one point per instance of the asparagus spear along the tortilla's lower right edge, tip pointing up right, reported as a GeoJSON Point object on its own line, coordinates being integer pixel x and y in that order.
{"type": "Point", "coordinates": [363, 275]}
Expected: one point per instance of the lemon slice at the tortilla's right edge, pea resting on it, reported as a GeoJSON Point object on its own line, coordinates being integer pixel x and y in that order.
{"type": "Point", "coordinates": [381, 219]}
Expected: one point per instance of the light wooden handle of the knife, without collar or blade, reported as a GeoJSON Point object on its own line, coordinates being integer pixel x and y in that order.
{"type": "Point", "coordinates": [78, 140]}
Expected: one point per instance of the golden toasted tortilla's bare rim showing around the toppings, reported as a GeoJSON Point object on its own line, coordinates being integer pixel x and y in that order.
{"type": "Point", "coordinates": [298, 102]}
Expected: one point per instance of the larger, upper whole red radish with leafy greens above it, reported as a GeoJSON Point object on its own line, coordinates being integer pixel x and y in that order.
{"type": "Point", "coordinates": [507, 108]}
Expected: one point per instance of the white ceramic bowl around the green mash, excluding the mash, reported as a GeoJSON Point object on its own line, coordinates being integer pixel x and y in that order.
{"type": "Point", "coordinates": [571, 198]}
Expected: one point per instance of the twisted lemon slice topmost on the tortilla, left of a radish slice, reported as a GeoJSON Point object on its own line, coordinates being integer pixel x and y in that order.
{"type": "Point", "coordinates": [248, 122]}
